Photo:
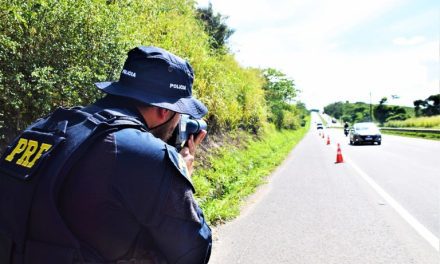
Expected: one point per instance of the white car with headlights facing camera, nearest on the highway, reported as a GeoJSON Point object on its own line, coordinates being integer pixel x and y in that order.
{"type": "Point", "coordinates": [366, 132]}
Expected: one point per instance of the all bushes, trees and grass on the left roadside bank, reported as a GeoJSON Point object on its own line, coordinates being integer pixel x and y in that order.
{"type": "Point", "coordinates": [52, 53]}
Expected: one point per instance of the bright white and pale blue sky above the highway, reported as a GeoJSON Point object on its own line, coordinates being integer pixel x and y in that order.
{"type": "Point", "coordinates": [340, 50]}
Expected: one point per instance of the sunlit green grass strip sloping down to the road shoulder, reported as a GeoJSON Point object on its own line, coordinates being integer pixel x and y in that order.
{"type": "Point", "coordinates": [234, 172]}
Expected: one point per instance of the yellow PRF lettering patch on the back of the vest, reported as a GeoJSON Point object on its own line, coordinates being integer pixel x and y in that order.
{"type": "Point", "coordinates": [27, 148]}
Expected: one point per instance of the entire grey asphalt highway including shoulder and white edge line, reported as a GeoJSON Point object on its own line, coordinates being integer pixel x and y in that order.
{"type": "Point", "coordinates": [380, 206]}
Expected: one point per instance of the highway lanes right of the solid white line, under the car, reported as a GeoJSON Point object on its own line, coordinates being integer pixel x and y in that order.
{"type": "Point", "coordinates": [408, 169]}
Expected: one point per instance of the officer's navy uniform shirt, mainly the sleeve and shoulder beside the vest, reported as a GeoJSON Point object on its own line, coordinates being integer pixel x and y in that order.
{"type": "Point", "coordinates": [129, 197]}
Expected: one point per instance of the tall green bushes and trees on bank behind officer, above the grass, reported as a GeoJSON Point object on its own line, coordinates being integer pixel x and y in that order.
{"type": "Point", "coordinates": [53, 51]}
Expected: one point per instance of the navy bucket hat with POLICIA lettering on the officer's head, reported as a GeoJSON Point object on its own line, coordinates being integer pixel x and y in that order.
{"type": "Point", "coordinates": [157, 77]}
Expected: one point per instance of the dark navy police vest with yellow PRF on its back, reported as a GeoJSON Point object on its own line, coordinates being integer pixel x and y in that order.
{"type": "Point", "coordinates": [43, 155]}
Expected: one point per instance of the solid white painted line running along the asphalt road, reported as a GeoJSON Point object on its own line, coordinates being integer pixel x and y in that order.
{"type": "Point", "coordinates": [423, 231]}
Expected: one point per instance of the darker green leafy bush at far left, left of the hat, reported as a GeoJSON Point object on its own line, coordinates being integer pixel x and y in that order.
{"type": "Point", "coordinates": [51, 52]}
